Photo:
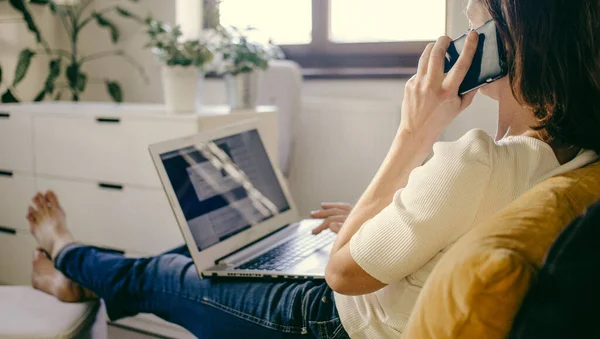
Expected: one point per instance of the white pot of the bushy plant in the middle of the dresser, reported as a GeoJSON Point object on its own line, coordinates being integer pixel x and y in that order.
{"type": "Point", "coordinates": [182, 87]}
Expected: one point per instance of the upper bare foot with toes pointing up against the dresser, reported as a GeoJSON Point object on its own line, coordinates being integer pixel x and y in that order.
{"type": "Point", "coordinates": [48, 223]}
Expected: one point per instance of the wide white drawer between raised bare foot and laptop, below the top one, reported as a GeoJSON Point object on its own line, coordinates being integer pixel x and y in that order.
{"type": "Point", "coordinates": [130, 219]}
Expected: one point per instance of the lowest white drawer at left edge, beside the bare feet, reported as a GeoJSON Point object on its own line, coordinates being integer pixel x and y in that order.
{"type": "Point", "coordinates": [16, 251]}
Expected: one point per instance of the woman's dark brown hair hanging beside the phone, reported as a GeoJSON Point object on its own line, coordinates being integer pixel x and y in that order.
{"type": "Point", "coordinates": [553, 52]}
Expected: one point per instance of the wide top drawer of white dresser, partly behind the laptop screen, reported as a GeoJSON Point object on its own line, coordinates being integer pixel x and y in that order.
{"type": "Point", "coordinates": [103, 149]}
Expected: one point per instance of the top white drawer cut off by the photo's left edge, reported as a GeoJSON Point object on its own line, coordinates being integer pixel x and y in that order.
{"type": "Point", "coordinates": [16, 142]}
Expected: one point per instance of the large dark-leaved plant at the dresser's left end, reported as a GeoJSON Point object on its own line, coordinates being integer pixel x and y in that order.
{"type": "Point", "coordinates": [66, 71]}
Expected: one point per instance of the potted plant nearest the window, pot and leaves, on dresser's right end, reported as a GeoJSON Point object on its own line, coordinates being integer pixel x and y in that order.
{"type": "Point", "coordinates": [242, 62]}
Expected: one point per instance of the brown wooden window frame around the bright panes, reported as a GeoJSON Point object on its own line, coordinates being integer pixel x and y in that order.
{"type": "Point", "coordinates": [322, 58]}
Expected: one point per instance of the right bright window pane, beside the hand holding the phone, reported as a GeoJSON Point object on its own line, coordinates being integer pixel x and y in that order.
{"type": "Point", "coordinates": [387, 20]}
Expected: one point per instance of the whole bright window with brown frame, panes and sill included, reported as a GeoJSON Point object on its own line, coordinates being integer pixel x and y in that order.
{"type": "Point", "coordinates": [344, 37]}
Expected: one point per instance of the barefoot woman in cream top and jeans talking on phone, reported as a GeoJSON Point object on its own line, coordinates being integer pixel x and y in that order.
{"type": "Point", "coordinates": [391, 239]}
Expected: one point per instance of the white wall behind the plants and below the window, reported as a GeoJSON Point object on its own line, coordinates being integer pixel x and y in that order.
{"type": "Point", "coordinates": [345, 127]}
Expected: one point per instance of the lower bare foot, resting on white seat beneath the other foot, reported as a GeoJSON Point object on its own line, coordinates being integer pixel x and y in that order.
{"type": "Point", "coordinates": [48, 279]}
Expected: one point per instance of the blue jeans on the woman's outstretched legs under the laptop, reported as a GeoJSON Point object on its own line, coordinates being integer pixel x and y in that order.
{"type": "Point", "coordinates": [169, 287]}
